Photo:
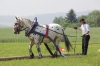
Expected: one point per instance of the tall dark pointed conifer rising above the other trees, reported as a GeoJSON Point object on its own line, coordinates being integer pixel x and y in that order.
{"type": "Point", "coordinates": [71, 16]}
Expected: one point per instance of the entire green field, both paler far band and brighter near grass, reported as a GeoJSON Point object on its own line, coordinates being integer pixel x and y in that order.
{"type": "Point", "coordinates": [17, 45]}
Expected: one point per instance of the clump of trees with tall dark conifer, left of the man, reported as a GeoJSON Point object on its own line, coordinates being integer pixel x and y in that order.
{"type": "Point", "coordinates": [68, 21]}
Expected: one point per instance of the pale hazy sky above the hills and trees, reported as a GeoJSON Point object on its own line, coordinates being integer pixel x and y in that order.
{"type": "Point", "coordinates": [32, 7]}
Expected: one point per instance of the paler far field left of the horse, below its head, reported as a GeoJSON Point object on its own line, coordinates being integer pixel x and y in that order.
{"type": "Point", "coordinates": [7, 35]}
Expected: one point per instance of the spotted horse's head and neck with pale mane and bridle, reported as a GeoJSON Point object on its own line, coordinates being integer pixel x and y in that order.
{"type": "Point", "coordinates": [22, 24]}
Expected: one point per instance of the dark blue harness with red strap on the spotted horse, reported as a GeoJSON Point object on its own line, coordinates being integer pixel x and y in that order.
{"type": "Point", "coordinates": [32, 30]}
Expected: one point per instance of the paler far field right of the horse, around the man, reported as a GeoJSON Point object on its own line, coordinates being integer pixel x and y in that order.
{"type": "Point", "coordinates": [94, 33]}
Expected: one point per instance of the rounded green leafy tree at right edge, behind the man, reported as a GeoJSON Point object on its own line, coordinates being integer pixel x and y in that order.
{"type": "Point", "coordinates": [93, 18]}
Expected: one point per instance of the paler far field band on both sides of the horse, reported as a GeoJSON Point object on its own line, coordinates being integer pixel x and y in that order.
{"type": "Point", "coordinates": [7, 35]}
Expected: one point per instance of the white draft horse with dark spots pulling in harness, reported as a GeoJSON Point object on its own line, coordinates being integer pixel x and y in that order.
{"type": "Point", "coordinates": [38, 33]}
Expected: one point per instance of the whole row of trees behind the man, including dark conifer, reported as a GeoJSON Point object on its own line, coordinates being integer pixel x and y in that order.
{"type": "Point", "coordinates": [71, 19]}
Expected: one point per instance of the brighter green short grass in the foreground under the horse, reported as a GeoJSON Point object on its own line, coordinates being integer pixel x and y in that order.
{"type": "Point", "coordinates": [21, 49]}
